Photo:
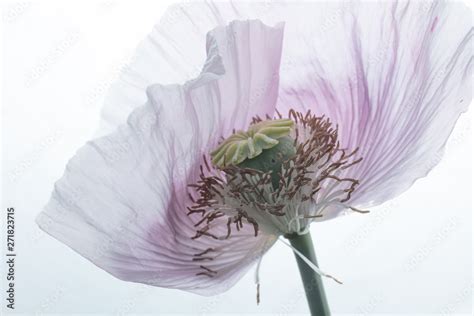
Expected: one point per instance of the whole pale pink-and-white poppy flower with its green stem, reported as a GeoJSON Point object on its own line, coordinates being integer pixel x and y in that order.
{"type": "Point", "coordinates": [301, 112]}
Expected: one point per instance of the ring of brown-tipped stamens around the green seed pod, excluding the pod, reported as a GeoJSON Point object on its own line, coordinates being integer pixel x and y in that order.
{"type": "Point", "coordinates": [309, 185]}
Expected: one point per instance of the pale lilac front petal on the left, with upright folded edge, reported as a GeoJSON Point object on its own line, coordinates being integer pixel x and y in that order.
{"type": "Point", "coordinates": [122, 200]}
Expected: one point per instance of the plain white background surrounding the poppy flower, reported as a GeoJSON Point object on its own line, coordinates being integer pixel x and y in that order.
{"type": "Point", "coordinates": [411, 255]}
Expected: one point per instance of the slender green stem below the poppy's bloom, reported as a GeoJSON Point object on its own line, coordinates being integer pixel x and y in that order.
{"type": "Point", "coordinates": [312, 282]}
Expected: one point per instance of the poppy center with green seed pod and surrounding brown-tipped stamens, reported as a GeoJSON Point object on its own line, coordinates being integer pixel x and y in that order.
{"type": "Point", "coordinates": [278, 176]}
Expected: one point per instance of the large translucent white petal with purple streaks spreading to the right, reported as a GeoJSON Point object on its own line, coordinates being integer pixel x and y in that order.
{"type": "Point", "coordinates": [394, 76]}
